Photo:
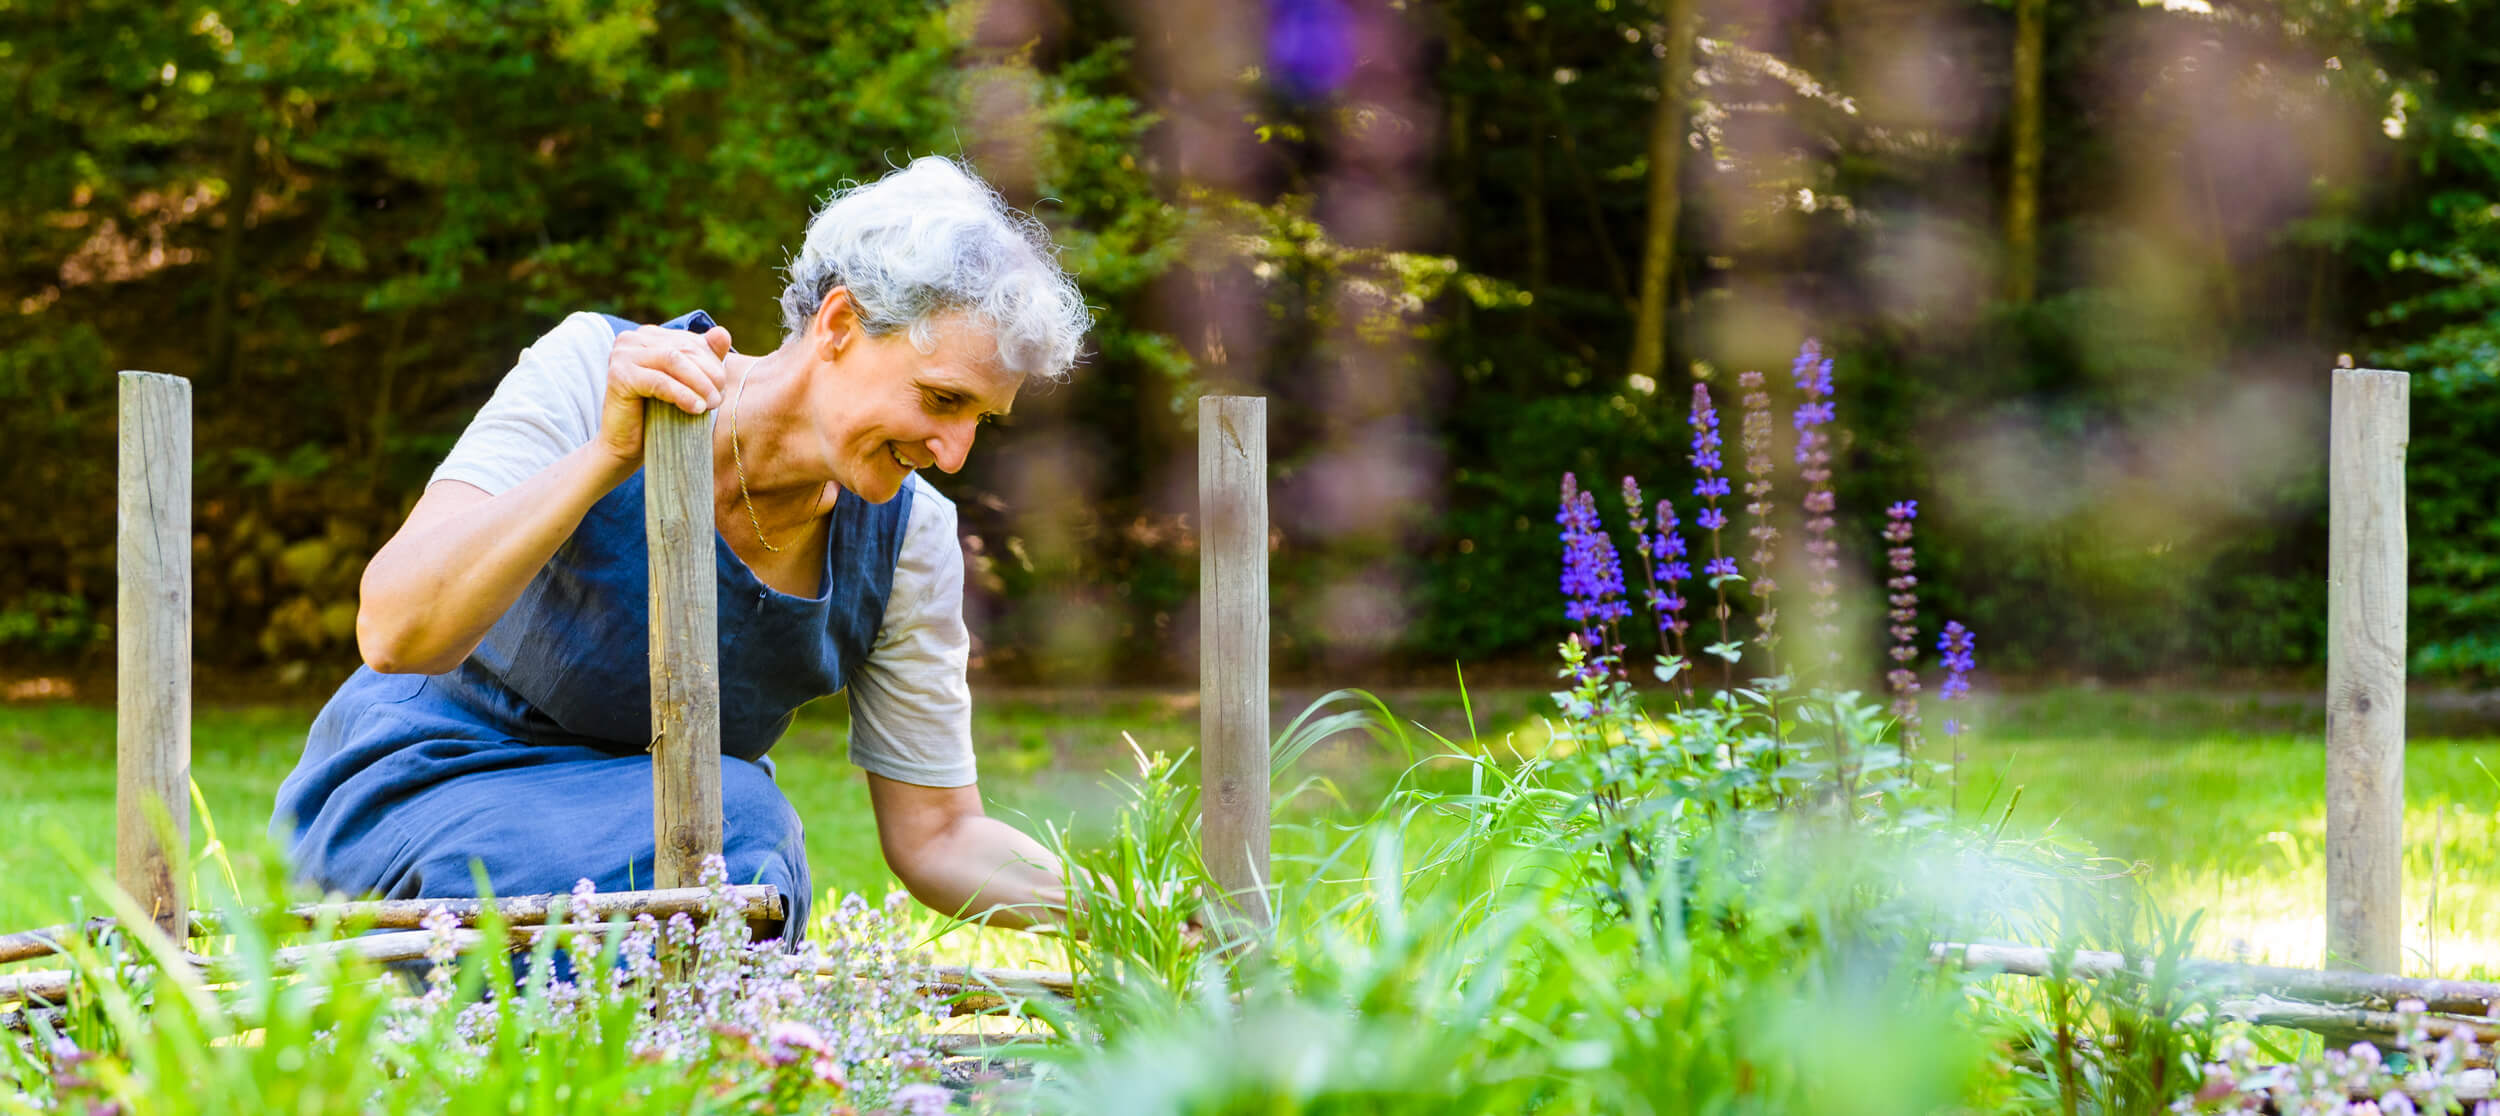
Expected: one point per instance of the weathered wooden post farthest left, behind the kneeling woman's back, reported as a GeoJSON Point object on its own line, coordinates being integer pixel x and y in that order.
{"type": "Point", "coordinates": [151, 797]}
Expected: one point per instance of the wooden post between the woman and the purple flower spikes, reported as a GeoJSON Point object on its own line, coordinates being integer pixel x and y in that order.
{"type": "Point", "coordinates": [1234, 647]}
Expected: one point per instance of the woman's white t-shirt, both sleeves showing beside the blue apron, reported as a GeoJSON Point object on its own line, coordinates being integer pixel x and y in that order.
{"type": "Point", "coordinates": [911, 709]}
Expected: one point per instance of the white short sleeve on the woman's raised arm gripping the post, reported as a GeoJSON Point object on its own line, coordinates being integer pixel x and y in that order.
{"type": "Point", "coordinates": [544, 409]}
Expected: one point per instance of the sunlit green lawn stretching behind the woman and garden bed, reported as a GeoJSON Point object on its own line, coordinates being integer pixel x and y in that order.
{"type": "Point", "coordinates": [2219, 797]}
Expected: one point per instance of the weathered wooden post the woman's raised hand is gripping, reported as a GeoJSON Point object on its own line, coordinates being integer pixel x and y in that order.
{"type": "Point", "coordinates": [684, 642]}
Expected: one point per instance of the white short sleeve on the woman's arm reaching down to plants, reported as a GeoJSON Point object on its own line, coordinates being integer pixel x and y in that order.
{"type": "Point", "coordinates": [911, 707]}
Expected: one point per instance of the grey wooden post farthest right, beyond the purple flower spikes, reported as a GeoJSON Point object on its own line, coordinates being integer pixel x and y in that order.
{"type": "Point", "coordinates": [2366, 669]}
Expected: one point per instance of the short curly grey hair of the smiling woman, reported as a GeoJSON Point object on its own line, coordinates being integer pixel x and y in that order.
{"type": "Point", "coordinates": [934, 241]}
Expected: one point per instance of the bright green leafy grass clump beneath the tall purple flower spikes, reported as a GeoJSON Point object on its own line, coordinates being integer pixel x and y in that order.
{"type": "Point", "coordinates": [1644, 915]}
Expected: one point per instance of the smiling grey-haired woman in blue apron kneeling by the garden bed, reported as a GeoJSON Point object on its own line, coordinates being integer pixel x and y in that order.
{"type": "Point", "coordinates": [504, 709]}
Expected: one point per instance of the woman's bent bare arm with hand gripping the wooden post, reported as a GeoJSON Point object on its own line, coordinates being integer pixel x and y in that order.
{"type": "Point", "coordinates": [466, 554]}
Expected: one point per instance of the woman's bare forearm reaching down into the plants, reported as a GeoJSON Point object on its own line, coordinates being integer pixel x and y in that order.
{"type": "Point", "coordinates": [964, 862]}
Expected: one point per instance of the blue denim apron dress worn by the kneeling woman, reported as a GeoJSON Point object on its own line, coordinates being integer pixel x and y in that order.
{"type": "Point", "coordinates": [534, 757]}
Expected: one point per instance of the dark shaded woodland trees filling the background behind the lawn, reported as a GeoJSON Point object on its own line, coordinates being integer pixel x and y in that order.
{"type": "Point", "coordinates": [2084, 269]}
